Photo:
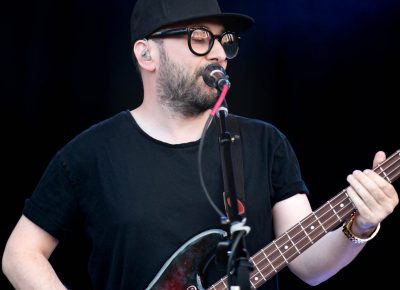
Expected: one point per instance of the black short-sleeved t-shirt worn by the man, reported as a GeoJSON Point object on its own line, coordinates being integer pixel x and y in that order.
{"type": "Point", "coordinates": [140, 199]}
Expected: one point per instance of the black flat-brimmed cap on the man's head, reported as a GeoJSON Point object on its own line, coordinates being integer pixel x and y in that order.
{"type": "Point", "coordinates": [150, 15]}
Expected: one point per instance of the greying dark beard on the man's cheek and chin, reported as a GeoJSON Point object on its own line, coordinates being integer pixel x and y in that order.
{"type": "Point", "coordinates": [181, 93]}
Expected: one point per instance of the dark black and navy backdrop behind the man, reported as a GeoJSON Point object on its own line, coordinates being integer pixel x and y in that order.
{"type": "Point", "coordinates": [325, 72]}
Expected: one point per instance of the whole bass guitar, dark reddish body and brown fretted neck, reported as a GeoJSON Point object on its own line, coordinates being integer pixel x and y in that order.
{"type": "Point", "coordinates": [183, 268]}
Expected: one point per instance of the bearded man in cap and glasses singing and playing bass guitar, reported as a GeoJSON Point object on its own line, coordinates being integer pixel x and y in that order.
{"type": "Point", "coordinates": [132, 180]}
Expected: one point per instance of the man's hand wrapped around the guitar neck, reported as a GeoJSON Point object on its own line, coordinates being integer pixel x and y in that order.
{"type": "Point", "coordinates": [373, 196]}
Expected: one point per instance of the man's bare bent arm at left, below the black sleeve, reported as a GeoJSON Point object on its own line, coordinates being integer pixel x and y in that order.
{"type": "Point", "coordinates": [25, 258]}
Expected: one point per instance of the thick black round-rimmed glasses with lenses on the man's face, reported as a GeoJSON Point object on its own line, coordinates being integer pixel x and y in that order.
{"type": "Point", "coordinates": [201, 40]}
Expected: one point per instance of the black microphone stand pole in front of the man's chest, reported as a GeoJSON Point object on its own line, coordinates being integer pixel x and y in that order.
{"type": "Point", "coordinates": [238, 267]}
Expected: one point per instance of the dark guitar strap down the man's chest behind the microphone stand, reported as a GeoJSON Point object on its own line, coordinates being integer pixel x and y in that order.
{"type": "Point", "coordinates": [232, 125]}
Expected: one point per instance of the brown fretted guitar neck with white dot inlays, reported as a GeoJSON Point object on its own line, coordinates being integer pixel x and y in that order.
{"type": "Point", "coordinates": [277, 254]}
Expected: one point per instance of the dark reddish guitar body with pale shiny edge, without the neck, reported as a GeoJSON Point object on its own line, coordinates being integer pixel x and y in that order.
{"type": "Point", "coordinates": [181, 271]}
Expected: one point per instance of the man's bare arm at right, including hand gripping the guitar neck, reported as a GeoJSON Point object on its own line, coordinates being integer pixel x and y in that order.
{"type": "Point", "coordinates": [374, 199]}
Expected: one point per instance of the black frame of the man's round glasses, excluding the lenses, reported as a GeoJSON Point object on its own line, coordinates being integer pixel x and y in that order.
{"type": "Point", "coordinates": [188, 31]}
